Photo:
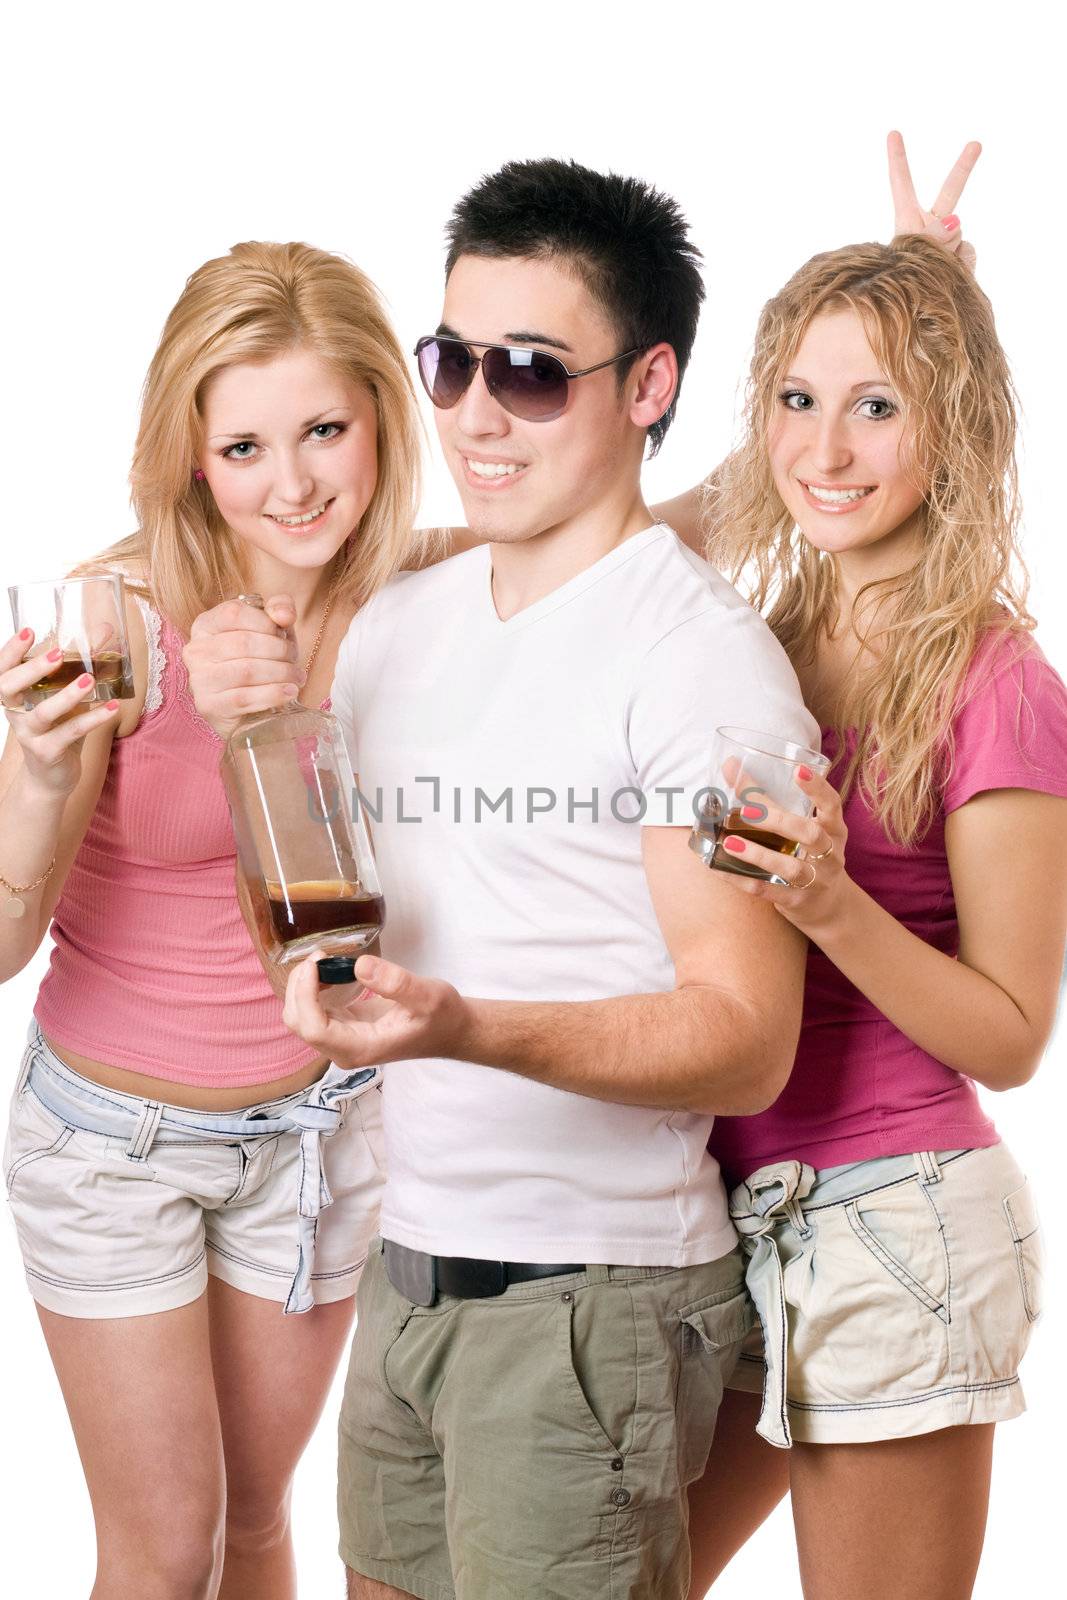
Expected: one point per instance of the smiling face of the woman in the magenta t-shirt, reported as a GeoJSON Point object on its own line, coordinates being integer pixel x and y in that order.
{"type": "Point", "coordinates": [839, 449]}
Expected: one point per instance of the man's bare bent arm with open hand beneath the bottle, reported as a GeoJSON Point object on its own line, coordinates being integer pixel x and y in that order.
{"type": "Point", "coordinates": [721, 1042]}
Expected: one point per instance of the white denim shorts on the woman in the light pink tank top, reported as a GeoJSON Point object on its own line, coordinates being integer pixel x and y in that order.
{"type": "Point", "coordinates": [124, 1206]}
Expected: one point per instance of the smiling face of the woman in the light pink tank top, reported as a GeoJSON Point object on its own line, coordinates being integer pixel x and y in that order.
{"type": "Point", "coordinates": [290, 454]}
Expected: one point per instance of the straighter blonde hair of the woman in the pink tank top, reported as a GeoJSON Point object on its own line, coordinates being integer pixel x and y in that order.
{"type": "Point", "coordinates": [254, 305]}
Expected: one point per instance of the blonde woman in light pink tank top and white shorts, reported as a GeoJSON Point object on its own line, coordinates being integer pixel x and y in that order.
{"type": "Point", "coordinates": [180, 1167]}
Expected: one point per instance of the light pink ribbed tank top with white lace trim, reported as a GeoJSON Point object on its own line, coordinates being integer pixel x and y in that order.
{"type": "Point", "coordinates": [153, 967]}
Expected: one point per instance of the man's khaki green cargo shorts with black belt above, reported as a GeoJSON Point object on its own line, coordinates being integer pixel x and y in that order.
{"type": "Point", "coordinates": [535, 1446]}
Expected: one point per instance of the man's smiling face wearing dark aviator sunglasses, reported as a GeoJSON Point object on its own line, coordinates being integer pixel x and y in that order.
{"type": "Point", "coordinates": [521, 479]}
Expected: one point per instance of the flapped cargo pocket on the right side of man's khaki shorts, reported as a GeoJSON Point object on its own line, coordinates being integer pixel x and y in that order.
{"type": "Point", "coordinates": [711, 1335]}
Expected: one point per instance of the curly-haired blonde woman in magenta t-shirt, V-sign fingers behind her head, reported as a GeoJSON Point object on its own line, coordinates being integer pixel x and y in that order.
{"type": "Point", "coordinates": [893, 1241]}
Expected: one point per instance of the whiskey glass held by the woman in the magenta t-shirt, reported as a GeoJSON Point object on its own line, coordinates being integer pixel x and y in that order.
{"type": "Point", "coordinates": [751, 769]}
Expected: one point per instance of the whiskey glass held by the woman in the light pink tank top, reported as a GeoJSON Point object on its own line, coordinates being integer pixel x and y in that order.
{"type": "Point", "coordinates": [87, 620]}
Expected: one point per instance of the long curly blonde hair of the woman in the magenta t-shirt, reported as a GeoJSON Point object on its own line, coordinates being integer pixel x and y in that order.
{"type": "Point", "coordinates": [933, 332]}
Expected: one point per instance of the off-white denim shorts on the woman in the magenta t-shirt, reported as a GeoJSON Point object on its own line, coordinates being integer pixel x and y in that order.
{"type": "Point", "coordinates": [897, 1297]}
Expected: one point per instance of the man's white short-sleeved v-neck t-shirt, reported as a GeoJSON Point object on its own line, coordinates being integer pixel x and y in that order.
{"type": "Point", "coordinates": [510, 767]}
